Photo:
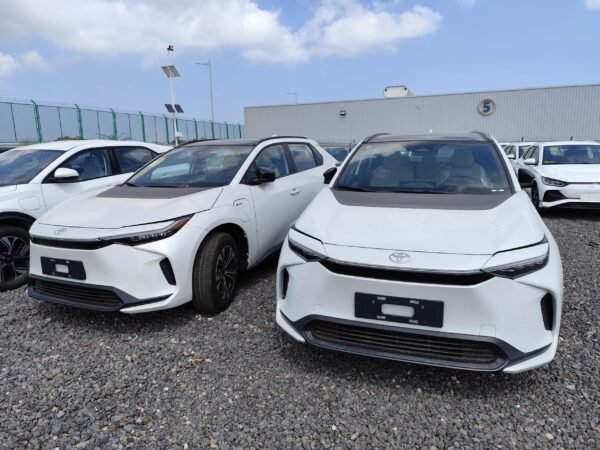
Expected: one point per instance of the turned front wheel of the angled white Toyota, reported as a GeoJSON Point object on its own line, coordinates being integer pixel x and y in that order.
{"type": "Point", "coordinates": [216, 272]}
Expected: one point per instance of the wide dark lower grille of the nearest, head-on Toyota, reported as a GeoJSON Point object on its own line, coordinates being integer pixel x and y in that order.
{"type": "Point", "coordinates": [404, 346]}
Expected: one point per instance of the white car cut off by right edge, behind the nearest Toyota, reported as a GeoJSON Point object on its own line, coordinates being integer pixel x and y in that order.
{"type": "Point", "coordinates": [565, 174]}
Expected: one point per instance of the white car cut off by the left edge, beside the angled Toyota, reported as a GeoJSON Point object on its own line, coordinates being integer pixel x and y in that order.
{"type": "Point", "coordinates": [35, 178]}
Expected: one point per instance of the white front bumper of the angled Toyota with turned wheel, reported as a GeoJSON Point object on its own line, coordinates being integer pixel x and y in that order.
{"type": "Point", "coordinates": [130, 279]}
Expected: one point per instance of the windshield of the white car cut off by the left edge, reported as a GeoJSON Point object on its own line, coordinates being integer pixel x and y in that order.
{"type": "Point", "coordinates": [21, 166]}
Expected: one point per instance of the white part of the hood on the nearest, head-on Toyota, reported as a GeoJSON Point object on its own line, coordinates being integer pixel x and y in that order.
{"type": "Point", "coordinates": [512, 224]}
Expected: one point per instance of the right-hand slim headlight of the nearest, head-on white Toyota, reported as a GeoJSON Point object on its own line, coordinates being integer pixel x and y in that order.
{"type": "Point", "coordinates": [522, 261]}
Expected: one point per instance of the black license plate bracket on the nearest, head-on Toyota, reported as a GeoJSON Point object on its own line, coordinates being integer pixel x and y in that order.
{"type": "Point", "coordinates": [429, 313]}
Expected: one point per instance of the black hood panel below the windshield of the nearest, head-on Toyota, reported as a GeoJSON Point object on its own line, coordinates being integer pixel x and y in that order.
{"type": "Point", "coordinates": [467, 202]}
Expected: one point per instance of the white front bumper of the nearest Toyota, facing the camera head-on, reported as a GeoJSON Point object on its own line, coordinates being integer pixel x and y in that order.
{"type": "Point", "coordinates": [500, 321]}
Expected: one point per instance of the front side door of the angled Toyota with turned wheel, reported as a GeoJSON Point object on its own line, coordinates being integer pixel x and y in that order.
{"type": "Point", "coordinates": [275, 203]}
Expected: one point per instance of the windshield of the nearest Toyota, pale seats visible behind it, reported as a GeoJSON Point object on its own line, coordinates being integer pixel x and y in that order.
{"type": "Point", "coordinates": [444, 167]}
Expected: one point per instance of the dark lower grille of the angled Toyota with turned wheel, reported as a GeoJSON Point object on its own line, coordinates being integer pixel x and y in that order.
{"type": "Point", "coordinates": [82, 296]}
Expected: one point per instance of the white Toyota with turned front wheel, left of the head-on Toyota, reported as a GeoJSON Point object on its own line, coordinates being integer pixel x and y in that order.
{"type": "Point", "coordinates": [179, 230]}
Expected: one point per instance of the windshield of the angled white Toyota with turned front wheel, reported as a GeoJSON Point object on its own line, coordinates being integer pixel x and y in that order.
{"type": "Point", "coordinates": [193, 166]}
